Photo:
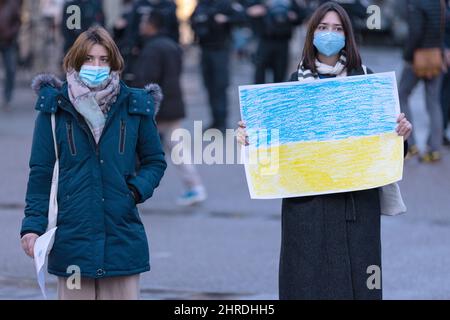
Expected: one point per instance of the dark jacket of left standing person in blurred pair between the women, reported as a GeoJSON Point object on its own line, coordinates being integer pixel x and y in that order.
{"type": "Point", "coordinates": [209, 33]}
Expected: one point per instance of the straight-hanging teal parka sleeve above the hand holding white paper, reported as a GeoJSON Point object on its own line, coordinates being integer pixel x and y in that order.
{"type": "Point", "coordinates": [42, 162]}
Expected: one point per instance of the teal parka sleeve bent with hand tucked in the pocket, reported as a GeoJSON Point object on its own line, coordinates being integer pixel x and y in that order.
{"type": "Point", "coordinates": [151, 158]}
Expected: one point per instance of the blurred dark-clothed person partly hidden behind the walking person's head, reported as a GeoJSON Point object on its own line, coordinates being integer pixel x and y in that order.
{"type": "Point", "coordinates": [134, 41]}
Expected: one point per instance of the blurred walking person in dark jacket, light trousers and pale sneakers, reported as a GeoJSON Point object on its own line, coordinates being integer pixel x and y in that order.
{"type": "Point", "coordinates": [160, 62]}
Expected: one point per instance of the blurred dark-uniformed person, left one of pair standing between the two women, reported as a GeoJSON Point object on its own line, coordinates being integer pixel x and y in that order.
{"type": "Point", "coordinates": [212, 22]}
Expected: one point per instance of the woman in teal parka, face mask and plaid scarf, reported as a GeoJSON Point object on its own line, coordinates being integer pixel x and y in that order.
{"type": "Point", "coordinates": [102, 128]}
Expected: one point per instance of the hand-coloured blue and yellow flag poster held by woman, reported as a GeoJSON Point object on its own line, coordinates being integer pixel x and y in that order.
{"type": "Point", "coordinates": [325, 136]}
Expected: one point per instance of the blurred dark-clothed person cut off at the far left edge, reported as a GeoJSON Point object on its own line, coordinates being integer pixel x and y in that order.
{"type": "Point", "coordinates": [10, 22]}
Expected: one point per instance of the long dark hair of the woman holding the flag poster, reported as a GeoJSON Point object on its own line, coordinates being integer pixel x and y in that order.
{"type": "Point", "coordinates": [310, 52]}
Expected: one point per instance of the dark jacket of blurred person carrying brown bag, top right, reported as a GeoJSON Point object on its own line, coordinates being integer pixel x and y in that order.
{"type": "Point", "coordinates": [426, 26]}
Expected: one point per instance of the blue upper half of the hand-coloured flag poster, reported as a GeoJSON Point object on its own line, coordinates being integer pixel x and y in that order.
{"type": "Point", "coordinates": [322, 110]}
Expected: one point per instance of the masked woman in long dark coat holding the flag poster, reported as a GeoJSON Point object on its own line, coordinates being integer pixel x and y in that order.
{"type": "Point", "coordinates": [328, 241]}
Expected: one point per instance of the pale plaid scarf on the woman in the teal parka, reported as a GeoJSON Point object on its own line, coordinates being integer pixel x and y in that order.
{"type": "Point", "coordinates": [93, 103]}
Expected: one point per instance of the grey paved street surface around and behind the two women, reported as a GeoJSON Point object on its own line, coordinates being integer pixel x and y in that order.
{"type": "Point", "coordinates": [229, 247]}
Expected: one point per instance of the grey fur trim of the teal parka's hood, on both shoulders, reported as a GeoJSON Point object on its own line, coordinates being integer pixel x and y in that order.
{"type": "Point", "coordinates": [52, 80]}
